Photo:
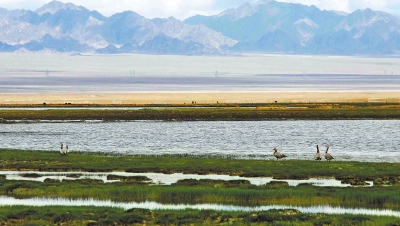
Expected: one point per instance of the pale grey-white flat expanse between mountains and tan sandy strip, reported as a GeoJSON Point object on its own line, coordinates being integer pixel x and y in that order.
{"type": "Point", "coordinates": [33, 73]}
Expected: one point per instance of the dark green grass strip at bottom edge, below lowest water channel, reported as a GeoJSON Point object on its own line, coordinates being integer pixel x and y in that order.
{"type": "Point", "coordinates": [108, 216]}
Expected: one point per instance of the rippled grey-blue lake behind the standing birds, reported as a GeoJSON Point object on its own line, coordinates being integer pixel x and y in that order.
{"type": "Point", "coordinates": [349, 140]}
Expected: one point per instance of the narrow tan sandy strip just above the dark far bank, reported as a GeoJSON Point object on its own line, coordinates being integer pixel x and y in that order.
{"type": "Point", "coordinates": [143, 98]}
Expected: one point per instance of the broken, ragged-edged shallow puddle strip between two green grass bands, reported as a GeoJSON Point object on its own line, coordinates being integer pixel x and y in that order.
{"type": "Point", "coordinates": [166, 179]}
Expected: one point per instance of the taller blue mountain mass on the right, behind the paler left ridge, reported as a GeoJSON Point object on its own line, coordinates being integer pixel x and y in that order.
{"type": "Point", "coordinates": [272, 26]}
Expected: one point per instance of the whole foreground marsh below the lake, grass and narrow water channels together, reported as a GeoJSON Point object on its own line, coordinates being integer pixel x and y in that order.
{"type": "Point", "coordinates": [237, 200]}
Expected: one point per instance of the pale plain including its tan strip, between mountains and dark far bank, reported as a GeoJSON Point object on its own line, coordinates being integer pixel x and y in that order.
{"type": "Point", "coordinates": [153, 79]}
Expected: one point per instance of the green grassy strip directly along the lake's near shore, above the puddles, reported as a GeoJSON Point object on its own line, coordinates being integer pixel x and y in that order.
{"type": "Point", "coordinates": [293, 169]}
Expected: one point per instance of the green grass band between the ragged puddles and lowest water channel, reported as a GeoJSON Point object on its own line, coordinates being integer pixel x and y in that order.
{"type": "Point", "coordinates": [229, 193]}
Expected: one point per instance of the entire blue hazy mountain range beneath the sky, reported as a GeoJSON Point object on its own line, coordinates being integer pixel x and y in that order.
{"type": "Point", "coordinates": [264, 27]}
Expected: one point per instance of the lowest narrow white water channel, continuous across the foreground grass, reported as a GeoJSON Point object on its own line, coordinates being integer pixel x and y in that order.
{"type": "Point", "coordinates": [40, 202]}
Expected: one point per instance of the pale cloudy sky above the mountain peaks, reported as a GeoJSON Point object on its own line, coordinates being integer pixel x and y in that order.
{"type": "Point", "coordinates": [182, 9]}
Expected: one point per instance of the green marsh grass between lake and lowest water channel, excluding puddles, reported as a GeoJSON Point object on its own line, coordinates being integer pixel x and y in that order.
{"type": "Point", "coordinates": [238, 192]}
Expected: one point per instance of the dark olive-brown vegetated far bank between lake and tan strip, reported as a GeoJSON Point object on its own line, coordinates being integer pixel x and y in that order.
{"type": "Point", "coordinates": [239, 112]}
